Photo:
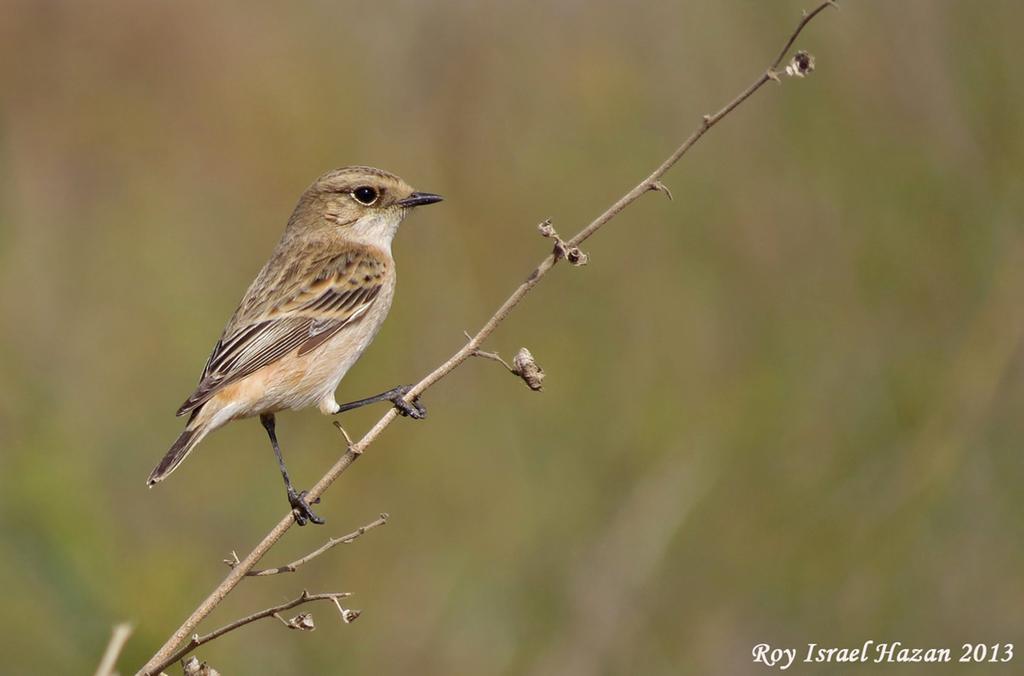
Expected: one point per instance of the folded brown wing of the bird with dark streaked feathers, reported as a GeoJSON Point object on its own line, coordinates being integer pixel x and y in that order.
{"type": "Point", "coordinates": [298, 310]}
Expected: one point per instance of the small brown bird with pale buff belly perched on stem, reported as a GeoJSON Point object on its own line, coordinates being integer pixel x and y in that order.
{"type": "Point", "coordinates": [306, 320]}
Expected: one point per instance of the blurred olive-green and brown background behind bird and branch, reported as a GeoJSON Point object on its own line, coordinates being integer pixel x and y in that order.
{"type": "Point", "coordinates": [784, 408]}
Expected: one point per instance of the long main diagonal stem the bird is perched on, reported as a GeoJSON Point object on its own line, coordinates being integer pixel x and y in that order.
{"type": "Point", "coordinates": [653, 182]}
